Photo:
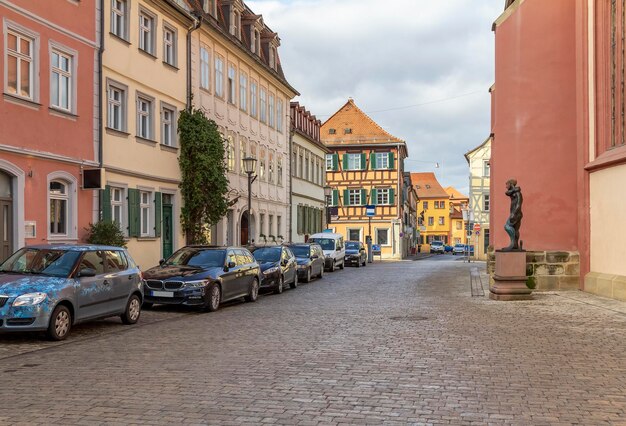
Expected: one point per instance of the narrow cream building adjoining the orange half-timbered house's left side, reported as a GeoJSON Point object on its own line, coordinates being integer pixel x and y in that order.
{"type": "Point", "coordinates": [308, 156]}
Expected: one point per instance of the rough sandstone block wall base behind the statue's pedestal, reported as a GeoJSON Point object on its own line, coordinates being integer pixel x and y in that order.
{"type": "Point", "coordinates": [547, 270]}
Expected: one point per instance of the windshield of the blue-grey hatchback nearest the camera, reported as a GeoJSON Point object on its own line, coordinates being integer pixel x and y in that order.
{"type": "Point", "coordinates": [54, 263]}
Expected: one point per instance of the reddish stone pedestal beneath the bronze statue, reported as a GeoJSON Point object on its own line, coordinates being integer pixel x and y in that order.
{"type": "Point", "coordinates": [510, 277]}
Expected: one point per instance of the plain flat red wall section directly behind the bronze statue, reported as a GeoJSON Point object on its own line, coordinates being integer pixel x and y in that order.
{"type": "Point", "coordinates": [534, 124]}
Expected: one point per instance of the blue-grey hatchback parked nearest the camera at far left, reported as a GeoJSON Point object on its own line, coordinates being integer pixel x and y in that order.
{"type": "Point", "coordinates": [53, 287]}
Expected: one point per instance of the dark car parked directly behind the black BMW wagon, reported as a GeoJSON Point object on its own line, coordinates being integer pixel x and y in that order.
{"type": "Point", "coordinates": [278, 267]}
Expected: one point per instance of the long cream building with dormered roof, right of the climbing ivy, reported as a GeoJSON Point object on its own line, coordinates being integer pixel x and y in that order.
{"type": "Point", "coordinates": [238, 82]}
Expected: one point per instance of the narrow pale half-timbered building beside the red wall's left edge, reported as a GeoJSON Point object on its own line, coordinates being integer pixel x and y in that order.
{"type": "Point", "coordinates": [479, 197]}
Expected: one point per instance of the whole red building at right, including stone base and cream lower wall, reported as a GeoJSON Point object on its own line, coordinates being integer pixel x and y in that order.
{"type": "Point", "coordinates": [558, 127]}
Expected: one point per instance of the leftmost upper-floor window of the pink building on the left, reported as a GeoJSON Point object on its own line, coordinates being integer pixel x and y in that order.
{"type": "Point", "coordinates": [20, 64]}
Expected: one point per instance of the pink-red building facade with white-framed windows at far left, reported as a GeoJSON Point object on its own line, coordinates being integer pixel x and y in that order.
{"type": "Point", "coordinates": [48, 120]}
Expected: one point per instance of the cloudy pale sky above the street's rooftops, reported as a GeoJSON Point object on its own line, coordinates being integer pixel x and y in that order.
{"type": "Point", "coordinates": [420, 68]}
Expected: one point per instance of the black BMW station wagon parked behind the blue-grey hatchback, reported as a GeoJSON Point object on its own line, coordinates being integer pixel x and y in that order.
{"type": "Point", "coordinates": [203, 276]}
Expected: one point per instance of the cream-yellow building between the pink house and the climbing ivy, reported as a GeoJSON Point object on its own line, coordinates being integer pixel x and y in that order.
{"type": "Point", "coordinates": [143, 90]}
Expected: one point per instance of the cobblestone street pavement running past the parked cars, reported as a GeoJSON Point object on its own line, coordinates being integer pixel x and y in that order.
{"type": "Point", "coordinates": [393, 343]}
